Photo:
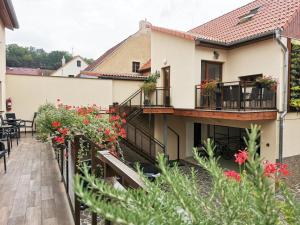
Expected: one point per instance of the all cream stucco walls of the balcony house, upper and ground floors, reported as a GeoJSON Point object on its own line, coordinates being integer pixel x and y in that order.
{"type": "Point", "coordinates": [262, 57]}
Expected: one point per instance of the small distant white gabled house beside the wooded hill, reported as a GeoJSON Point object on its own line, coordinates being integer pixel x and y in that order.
{"type": "Point", "coordinates": [71, 68]}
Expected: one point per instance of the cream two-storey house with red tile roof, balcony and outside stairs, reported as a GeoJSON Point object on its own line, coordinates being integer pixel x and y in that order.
{"type": "Point", "coordinates": [210, 85]}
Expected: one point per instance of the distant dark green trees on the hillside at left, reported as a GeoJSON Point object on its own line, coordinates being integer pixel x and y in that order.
{"type": "Point", "coordinates": [18, 56]}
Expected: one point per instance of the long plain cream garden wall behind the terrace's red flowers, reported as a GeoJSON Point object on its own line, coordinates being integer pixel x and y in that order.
{"type": "Point", "coordinates": [29, 92]}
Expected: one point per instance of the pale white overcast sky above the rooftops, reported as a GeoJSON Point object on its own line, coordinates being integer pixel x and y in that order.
{"type": "Point", "coordinates": [90, 27]}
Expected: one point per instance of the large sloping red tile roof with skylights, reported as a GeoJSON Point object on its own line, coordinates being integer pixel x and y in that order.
{"type": "Point", "coordinates": [227, 29]}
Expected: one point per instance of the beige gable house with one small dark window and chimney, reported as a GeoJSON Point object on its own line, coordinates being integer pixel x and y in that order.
{"type": "Point", "coordinates": [127, 57]}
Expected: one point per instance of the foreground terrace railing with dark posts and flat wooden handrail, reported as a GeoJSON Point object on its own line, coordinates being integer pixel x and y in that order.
{"type": "Point", "coordinates": [103, 165]}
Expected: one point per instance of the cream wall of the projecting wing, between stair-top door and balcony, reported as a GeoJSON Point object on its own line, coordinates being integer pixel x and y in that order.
{"type": "Point", "coordinates": [178, 53]}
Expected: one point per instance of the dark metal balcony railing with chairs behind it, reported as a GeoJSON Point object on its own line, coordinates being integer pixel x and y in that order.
{"type": "Point", "coordinates": [235, 96]}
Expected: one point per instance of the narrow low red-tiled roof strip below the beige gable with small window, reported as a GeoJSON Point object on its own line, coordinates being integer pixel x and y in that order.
{"type": "Point", "coordinates": [122, 76]}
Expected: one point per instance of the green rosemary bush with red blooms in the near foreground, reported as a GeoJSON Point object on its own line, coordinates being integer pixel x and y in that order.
{"type": "Point", "coordinates": [177, 198]}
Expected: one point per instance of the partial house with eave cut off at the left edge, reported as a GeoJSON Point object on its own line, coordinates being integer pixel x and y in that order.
{"type": "Point", "coordinates": [8, 20]}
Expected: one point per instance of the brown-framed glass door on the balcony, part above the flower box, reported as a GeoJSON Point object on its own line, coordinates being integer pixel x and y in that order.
{"type": "Point", "coordinates": [211, 71]}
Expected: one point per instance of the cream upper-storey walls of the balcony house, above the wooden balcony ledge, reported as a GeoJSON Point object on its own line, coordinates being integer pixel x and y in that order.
{"type": "Point", "coordinates": [184, 60]}
